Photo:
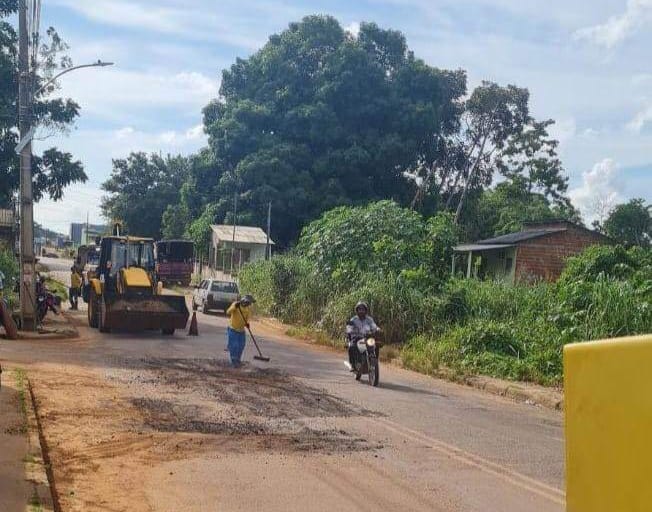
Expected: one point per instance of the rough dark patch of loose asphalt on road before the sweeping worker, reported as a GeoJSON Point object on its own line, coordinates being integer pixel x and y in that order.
{"type": "Point", "coordinates": [258, 408]}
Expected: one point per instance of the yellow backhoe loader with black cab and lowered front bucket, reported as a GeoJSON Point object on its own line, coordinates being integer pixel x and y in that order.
{"type": "Point", "coordinates": [124, 293]}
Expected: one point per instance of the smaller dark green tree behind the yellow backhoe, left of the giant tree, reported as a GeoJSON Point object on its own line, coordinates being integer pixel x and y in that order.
{"type": "Point", "coordinates": [140, 190]}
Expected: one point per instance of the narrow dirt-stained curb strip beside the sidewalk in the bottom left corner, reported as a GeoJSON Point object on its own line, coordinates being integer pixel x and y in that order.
{"type": "Point", "coordinates": [38, 467]}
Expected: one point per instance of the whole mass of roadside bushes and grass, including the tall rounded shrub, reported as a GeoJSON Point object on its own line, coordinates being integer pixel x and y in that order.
{"type": "Point", "coordinates": [386, 255]}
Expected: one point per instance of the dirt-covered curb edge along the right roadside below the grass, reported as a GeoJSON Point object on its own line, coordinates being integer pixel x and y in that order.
{"type": "Point", "coordinates": [523, 392]}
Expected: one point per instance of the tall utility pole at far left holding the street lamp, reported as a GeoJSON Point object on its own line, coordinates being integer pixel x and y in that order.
{"type": "Point", "coordinates": [27, 260]}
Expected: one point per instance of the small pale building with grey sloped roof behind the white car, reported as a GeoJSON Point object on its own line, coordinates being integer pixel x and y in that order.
{"type": "Point", "coordinates": [231, 247]}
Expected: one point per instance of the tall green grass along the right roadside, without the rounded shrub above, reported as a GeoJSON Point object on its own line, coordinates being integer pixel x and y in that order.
{"type": "Point", "coordinates": [468, 326]}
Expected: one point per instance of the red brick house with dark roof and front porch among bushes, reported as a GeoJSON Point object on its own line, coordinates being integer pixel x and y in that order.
{"type": "Point", "coordinates": [537, 253]}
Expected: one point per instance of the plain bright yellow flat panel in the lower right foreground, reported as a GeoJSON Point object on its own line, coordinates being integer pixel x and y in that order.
{"type": "Point", "coordinates": [608, 404]}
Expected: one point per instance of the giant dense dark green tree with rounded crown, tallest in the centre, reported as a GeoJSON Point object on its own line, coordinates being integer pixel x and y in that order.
{"type": "Point", "coordinates": [319, 118]}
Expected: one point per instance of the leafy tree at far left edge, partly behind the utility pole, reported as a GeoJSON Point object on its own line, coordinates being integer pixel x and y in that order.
{"type": "Point", "coordinates": [54, 169]}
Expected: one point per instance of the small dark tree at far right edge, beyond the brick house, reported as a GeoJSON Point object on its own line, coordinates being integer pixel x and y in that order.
{"type": "Point", "coordinates": [630, 223]}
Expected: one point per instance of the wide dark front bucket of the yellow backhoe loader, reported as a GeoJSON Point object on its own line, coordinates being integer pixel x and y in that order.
{"type": "Point", "coordinates": [164, 312]}
